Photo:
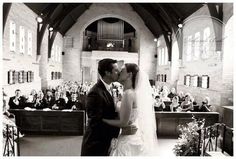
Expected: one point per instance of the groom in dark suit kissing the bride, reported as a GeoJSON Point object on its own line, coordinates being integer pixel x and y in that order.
{"type": "Point", "coordinates": [99, 105]}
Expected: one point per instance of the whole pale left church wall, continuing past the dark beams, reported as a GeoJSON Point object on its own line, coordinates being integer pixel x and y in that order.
{"type": "Point", "coordinates": [14, 60]}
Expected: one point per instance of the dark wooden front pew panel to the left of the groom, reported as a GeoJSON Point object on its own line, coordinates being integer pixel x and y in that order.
{"type": "Point", "coordinates": [55, 122]}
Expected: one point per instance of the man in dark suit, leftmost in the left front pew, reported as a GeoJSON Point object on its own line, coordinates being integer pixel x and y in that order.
{"type": "Point", "coordinates": [17, 101]}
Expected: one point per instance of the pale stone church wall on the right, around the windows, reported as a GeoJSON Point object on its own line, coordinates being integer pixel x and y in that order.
{"type": "Point", "coordinates": [218, 66]}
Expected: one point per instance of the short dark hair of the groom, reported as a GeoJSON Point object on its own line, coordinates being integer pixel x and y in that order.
{"type": "Point", "coordinates": [105, 65]}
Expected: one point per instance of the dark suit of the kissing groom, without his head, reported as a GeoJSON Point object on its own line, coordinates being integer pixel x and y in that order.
{"type": "Point", "coordinates": [98, 135]}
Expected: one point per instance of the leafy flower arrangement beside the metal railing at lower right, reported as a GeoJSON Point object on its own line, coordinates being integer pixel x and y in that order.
{"type": "Point", "coordinates": [188, 140]}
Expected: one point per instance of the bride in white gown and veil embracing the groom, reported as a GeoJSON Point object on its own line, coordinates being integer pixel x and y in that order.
{"type": "Point", "coordinates": [137, 117]}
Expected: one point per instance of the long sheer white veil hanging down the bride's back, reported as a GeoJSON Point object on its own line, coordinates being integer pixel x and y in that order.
{"type": "Point", "coordinates": [146, 113]}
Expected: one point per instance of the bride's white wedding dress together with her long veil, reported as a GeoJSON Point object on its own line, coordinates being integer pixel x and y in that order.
{"type": "Point", "coordinates": [142, 115]}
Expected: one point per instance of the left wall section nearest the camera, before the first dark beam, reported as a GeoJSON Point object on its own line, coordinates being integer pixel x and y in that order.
{"type": "Point", "coordinates": [14, 60]}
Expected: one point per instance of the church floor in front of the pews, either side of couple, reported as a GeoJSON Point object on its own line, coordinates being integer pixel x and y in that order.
{"type": "Point", "coordinates": [71, 146]}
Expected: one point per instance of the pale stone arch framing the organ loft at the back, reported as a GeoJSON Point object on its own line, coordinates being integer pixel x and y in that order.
{"type": "Point", "coordinates": [144, 38]}
